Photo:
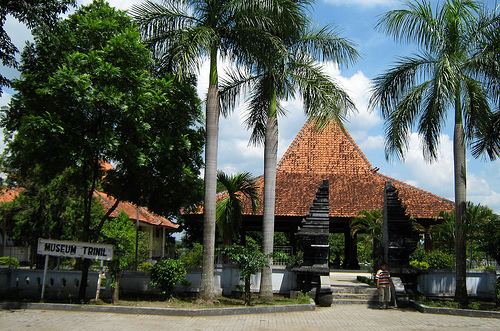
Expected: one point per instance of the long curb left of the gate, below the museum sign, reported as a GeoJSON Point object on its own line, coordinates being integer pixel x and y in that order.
{"type": "Point", "coordinates": [158, 311]}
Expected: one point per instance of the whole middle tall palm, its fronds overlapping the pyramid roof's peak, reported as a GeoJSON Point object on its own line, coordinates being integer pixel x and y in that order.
{"type": "Point", "coordinates": [280, 76]}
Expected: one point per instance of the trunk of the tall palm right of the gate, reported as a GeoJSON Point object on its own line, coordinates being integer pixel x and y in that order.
{"type": "Point", "coordinates": [460, 204]}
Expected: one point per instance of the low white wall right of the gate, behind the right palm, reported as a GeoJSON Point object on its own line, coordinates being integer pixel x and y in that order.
{"type": "Point", "coordinates": [442, 283]}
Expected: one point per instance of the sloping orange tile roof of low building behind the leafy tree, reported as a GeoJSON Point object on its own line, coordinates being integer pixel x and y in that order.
{"type": "Point", "coordinates": [134, 212]}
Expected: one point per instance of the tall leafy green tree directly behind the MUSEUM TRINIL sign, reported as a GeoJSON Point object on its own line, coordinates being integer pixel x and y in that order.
{"type": "Point", "coordinates": [86, 96]}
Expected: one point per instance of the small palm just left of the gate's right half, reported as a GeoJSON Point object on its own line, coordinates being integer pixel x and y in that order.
{"type": "Point", "coordinates": [370, 222]}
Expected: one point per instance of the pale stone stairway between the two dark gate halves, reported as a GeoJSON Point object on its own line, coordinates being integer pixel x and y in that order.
{"type": "Point", "coordinates": [348, 290]}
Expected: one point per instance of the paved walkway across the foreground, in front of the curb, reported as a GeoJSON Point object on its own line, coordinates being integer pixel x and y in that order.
{"type": "Point", "coordinates": [340, 317]}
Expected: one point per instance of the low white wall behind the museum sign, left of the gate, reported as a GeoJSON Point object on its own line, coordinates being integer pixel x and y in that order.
{"type": "Point", "coordinates": [26, 283]}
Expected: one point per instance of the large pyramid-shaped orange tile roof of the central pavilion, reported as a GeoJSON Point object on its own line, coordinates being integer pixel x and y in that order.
{"type": "Point", "coordinates": [331, 153]}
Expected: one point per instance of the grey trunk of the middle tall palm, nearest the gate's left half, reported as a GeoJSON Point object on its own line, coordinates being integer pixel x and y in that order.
{"type": "Point", "coordinates": [270, 159]}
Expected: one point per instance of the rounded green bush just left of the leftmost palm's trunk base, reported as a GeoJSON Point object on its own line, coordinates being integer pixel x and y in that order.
{"type": "Point", "coordinates": [168, 273]}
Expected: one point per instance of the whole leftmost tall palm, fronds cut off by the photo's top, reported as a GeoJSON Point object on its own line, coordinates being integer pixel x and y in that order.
{"type": "Point", "coordinates": [182, 33]}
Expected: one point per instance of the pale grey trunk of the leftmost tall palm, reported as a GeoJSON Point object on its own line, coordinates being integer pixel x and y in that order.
{"type": "Point", "coordinates": [212, 126]}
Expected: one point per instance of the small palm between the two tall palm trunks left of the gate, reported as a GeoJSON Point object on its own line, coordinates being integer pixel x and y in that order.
{"type": "Point", "coordinates": [237, 187]}
